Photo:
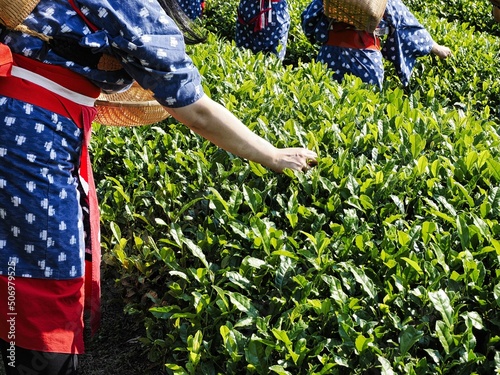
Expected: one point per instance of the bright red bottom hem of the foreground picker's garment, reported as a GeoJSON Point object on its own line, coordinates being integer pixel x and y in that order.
{"type": "Point", "coordinates": [44, 315]}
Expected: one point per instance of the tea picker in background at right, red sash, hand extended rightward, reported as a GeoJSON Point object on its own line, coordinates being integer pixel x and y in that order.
{"type": "Point", "coordinates": [350, 50]}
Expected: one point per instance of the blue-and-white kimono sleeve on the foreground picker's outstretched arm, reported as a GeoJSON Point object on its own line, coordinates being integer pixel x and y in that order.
{"type": "Point", "coordinates": [150, 46]}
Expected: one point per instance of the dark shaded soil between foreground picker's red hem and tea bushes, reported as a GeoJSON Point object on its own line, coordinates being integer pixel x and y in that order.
{"type": "Point", "coordinates": [114, 350]}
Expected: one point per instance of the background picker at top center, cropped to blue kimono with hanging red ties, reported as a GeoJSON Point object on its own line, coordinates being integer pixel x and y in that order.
{"type": "Point", "coordinates": [263, 26]}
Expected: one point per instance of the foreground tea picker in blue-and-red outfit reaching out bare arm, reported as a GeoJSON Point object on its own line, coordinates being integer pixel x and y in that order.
{"type": "Point", "coordinates": [52, 70]}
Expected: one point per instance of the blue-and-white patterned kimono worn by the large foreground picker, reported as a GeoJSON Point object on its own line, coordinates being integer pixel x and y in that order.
{"type": "Point", "coordinates": [41, 225]}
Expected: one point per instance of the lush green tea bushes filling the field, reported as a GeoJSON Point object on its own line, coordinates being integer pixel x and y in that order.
{"type": "Point", "coordinates": [382, 259]}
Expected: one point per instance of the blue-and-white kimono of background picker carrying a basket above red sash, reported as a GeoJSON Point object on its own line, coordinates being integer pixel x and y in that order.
{"type": "Point", "coordinates": [407, 41]}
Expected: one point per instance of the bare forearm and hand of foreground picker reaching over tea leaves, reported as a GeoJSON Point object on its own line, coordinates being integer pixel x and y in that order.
{"type": "Point", "coordinates": [218, 125]}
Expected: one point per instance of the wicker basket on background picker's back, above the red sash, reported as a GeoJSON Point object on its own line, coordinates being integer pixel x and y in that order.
{"type": "Point", "coordinates": [363, 14]}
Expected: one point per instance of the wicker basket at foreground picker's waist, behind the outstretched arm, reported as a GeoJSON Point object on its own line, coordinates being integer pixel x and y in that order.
{"type": "Point", "coordinates": [133, 107]}
